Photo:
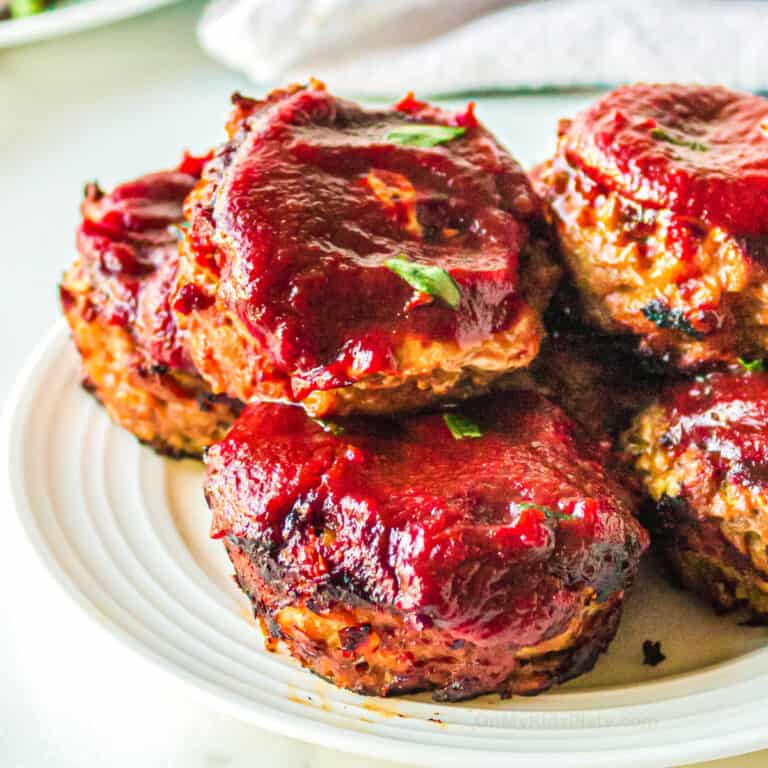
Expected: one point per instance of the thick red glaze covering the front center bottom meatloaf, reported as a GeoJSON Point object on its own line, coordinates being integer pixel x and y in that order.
{"type": "Point", "coordinates": [493, 537]}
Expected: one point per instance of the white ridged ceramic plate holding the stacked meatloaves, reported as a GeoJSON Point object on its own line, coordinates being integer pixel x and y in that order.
{"type": "Point", "coordinates": [124, 532]}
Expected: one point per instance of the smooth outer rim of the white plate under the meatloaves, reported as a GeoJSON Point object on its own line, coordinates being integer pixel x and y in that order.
{"type": "Point", "coordinates": [298, 726]}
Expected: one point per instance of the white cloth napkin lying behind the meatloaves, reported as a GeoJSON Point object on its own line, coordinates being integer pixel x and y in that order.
{"type": "Point", "coordinates": [383, 47]}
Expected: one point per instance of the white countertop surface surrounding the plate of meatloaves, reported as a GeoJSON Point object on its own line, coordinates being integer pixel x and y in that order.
{"type": "Point", "coordinates": [110, 104]}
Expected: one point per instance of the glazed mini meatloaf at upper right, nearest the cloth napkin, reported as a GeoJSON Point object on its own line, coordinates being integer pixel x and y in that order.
{"type": "Point", "coordinates": [660, 197]}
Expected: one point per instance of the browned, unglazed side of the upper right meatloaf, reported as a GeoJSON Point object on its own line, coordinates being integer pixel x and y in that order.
{"type": "Point", "coordinates": [710, 306]}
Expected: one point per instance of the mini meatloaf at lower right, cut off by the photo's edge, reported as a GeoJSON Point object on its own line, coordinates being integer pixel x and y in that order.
{"type": "Point", "coordinates": [702, 452]}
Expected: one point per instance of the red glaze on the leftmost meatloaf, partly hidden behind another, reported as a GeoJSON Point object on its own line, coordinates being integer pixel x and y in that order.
{"type": "Point", "coordinates": [128, 241]}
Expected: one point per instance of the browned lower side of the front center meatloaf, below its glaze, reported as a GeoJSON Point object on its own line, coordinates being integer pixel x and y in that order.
{"type": "Point", "coordinates": [376, 650]}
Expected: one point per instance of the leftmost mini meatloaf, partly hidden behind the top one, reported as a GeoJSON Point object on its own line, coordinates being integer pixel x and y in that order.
{"type": "Point", "coordinates": [116, 301]}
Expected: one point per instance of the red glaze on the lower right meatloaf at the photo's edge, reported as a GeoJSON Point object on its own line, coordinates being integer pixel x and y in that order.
{"type": "Point", "coordinates": [724, 416]}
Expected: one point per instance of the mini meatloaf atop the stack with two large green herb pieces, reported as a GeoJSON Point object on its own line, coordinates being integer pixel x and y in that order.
{"type": "Point", "coordinates": [361, 261]}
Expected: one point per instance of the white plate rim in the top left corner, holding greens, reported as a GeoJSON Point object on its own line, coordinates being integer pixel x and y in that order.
{"type": "Point", "coordinates": [71, 16]}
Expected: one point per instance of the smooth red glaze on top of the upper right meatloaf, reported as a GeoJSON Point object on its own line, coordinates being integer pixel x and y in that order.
{"type": "Point", "coordinates": [699, 151]}
